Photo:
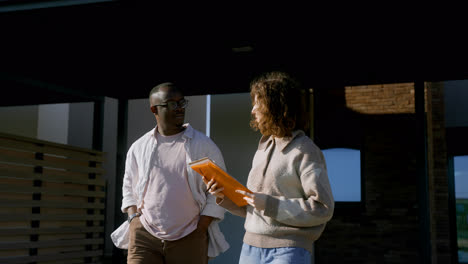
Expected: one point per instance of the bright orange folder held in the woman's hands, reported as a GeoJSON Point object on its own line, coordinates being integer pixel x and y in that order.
{"type": "Point", "coordinates": [207, 168]}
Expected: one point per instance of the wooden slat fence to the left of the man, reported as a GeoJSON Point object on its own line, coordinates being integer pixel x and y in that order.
{"type": "Point", "coordinates": [52, 199]}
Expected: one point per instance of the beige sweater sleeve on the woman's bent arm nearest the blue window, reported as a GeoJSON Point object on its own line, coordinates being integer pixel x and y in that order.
{"type": "Point", "coordinates": [317, 205]}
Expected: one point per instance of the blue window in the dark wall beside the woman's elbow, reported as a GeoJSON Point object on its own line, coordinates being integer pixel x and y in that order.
{"type": "Point", "coordinates": [344, 172]}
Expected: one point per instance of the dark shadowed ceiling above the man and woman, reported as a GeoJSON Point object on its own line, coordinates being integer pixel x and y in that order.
{"type": "Point", "coordinates": [122, 49]}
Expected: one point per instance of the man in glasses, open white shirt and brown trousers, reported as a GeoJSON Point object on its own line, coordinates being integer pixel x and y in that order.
{"type": "Point", "coordinates": [171, 217]}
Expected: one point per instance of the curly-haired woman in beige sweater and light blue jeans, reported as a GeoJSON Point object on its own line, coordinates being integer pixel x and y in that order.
{"type": "Point", "coordinates": [292, 199]}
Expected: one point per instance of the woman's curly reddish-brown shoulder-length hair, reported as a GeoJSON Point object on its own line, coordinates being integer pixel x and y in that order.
{"type": "Point", "coordinates": [281, 102]}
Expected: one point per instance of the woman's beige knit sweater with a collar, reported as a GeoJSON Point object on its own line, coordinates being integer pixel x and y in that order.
{"type": "Point", "coordinates": [293, 173]}
